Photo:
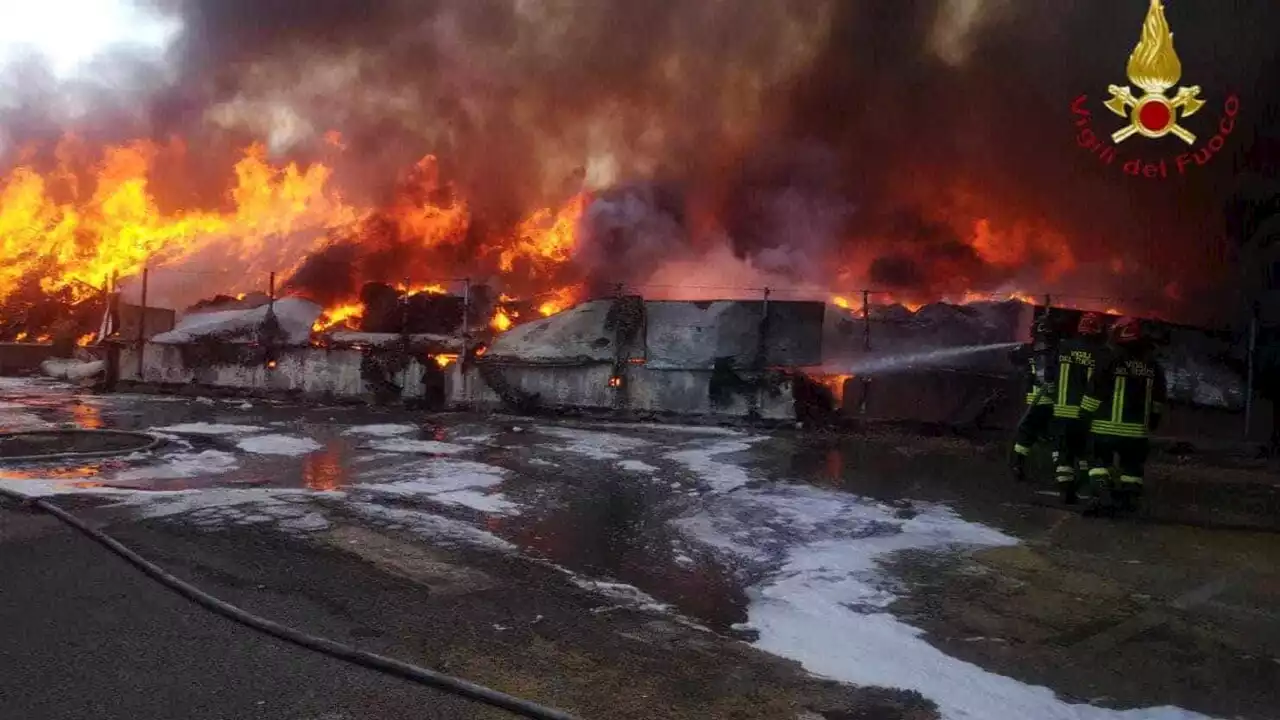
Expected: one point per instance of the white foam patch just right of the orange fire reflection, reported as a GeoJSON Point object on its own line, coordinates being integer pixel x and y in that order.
{"type": "Point", "coordinates": [452, 482]}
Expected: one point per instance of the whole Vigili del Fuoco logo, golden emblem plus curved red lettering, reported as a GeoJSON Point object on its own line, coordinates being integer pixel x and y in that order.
{"type": "Point", "coordinates": [1153, 113]}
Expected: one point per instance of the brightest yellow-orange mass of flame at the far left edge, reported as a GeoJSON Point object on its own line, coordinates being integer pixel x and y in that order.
{"type": "Point", "coordinates": [121, 227]}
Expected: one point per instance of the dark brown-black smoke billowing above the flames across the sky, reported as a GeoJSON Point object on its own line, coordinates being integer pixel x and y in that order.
{"type": "Point", "coordinates": [799, 130]}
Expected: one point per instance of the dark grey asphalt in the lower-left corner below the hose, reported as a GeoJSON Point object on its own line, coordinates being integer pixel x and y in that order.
{"type": "Point", "coordinates": [84, 636]}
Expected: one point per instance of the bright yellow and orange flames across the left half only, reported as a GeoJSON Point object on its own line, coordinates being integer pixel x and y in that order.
{"type": "Point", "coordinates": [71, 234]}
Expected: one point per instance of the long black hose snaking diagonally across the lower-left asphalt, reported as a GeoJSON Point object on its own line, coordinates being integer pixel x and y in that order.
{"type": "Point", "coordinates": [391, 667]}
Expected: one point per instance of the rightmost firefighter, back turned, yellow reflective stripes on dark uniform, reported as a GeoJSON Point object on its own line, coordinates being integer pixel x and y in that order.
{"type": "Point", "coordinates": [1123, 405]}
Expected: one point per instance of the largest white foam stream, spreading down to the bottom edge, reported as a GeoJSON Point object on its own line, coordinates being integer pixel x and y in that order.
{"type": "Point", "coordinates": [825, 598]}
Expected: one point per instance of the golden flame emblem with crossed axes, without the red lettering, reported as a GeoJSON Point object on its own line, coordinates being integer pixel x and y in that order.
{"type": "Point", "coordinates": [1155, 67]}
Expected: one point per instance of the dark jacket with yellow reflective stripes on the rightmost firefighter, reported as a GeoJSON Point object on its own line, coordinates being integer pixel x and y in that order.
{"type": "Point", "coordinates": [1126, 397]}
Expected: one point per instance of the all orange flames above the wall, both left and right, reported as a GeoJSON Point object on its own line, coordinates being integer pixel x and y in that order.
{"type": "Point", "coordinates": [71, 231]}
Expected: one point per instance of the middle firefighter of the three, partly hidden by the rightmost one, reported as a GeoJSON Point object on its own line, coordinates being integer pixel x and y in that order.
{"type": "Point", "coordinates": [1077, 359]}
